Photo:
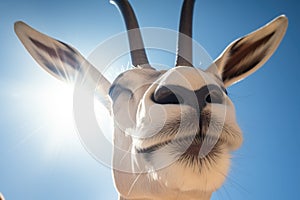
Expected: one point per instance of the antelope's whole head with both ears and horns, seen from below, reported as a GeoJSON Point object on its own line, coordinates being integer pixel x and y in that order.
{"type": "Point", "coordinates": [173, 129]}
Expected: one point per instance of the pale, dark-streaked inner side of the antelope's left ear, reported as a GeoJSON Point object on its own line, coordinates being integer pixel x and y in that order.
{"type": "Point", "coordinates": [57, 58]}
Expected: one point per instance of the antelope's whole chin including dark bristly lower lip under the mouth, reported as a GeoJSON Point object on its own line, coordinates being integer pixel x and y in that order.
{"type": "Point", "coordinates": [191, 164]}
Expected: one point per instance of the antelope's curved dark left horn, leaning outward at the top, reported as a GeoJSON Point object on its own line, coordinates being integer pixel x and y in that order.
{"type": "Point", "coordinates": [137, 49]}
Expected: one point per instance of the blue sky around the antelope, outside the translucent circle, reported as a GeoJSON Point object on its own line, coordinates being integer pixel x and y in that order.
{"type": "Point", "coordinates": [41, 156]}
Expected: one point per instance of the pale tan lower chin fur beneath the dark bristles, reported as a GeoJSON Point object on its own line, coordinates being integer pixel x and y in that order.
{"type": "Point", "coordinates": [206, 175]}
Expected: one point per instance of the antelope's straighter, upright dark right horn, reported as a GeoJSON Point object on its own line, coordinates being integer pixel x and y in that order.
{"type": "Point", "coordinates": [185, 47]}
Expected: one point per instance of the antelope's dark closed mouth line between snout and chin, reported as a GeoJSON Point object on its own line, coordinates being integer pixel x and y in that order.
{"type": "Point", "coordinates": [186, 146]}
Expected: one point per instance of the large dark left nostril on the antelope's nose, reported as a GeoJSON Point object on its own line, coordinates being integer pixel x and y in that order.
{"type": "Point", "coordinates": [164, 95]}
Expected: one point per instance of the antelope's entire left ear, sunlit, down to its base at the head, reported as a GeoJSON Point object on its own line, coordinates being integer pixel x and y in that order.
{"type": "Point", "coordinates": [61, 60]}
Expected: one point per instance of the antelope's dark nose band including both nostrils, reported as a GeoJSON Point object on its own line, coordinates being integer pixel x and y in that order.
{"type": "Point", "coordinates": [173, 94]}
